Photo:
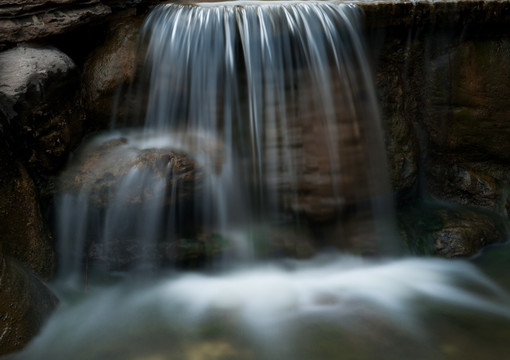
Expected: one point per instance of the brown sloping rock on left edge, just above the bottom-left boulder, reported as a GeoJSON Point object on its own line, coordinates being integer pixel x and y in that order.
{"type": "Point", "coordinates": [24, 234]}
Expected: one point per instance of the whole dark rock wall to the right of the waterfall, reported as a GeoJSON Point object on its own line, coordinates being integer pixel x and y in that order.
{"type": "Point", "coordinates": [443, 82]}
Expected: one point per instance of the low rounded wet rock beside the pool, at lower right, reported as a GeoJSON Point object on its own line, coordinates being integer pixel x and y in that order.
{"type": "Point", "coordinates": [464, 233]}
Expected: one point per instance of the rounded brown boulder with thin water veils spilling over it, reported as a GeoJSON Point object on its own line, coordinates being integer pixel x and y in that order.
{"type": "Point", "coordinates": [100, 171]}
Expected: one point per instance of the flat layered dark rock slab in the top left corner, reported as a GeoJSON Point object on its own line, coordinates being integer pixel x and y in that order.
{"type": "Point", "coordinates": [28, 20]}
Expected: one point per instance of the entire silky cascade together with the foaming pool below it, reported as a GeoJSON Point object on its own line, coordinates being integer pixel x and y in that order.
{"type": "Point", "coordinates": [260, 124]}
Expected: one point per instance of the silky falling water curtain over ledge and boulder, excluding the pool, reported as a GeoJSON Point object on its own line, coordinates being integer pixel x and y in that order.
{"type": "Point", "coordinates": [272, 106]}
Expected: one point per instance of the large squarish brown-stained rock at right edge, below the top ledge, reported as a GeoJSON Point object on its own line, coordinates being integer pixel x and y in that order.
{"type": "Point", "coordinates": [469, 94]}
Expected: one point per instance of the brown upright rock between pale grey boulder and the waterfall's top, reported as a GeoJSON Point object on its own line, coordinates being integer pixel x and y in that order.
{"type": "Point", "coordinates": [109, 69]}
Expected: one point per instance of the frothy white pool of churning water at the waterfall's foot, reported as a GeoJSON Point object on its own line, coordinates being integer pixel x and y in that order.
{"type": "Point", "coordinates": [359, 308]}
